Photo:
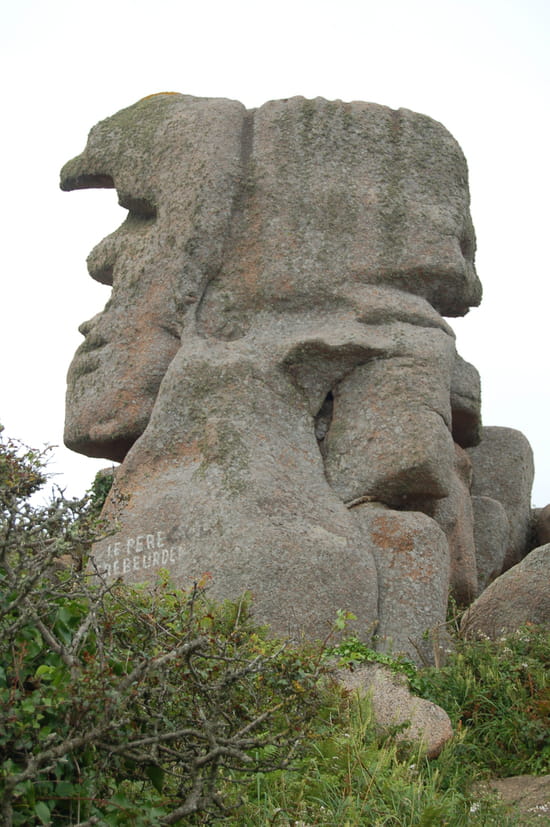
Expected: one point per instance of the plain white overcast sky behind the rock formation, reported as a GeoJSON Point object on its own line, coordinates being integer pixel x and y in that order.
{"type": "Point", "coordinates": [481, 67]}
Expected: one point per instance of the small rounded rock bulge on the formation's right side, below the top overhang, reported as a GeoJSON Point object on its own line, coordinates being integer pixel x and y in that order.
{"type": "Point", "coordinates": [466, 403]}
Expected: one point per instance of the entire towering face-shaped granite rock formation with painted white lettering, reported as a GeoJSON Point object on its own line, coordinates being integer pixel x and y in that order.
{"type": "Point", "coordinates": [273, 354]}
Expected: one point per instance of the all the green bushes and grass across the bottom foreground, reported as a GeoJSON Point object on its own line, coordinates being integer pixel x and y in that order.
{"type": "Point", "coordinates": [125, 706]}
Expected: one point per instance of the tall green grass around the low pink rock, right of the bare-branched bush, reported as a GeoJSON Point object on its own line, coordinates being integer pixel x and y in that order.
{"type": "Point", "coordinates": [348, 774]}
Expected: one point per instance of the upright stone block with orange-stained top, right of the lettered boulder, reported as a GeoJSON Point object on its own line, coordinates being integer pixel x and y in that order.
{"type": "Point", "coordinates": [411, 555]}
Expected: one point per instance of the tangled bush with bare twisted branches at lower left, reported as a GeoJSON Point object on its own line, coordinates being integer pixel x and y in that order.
{"type": "Point", "coordinates": [119, 705]}
